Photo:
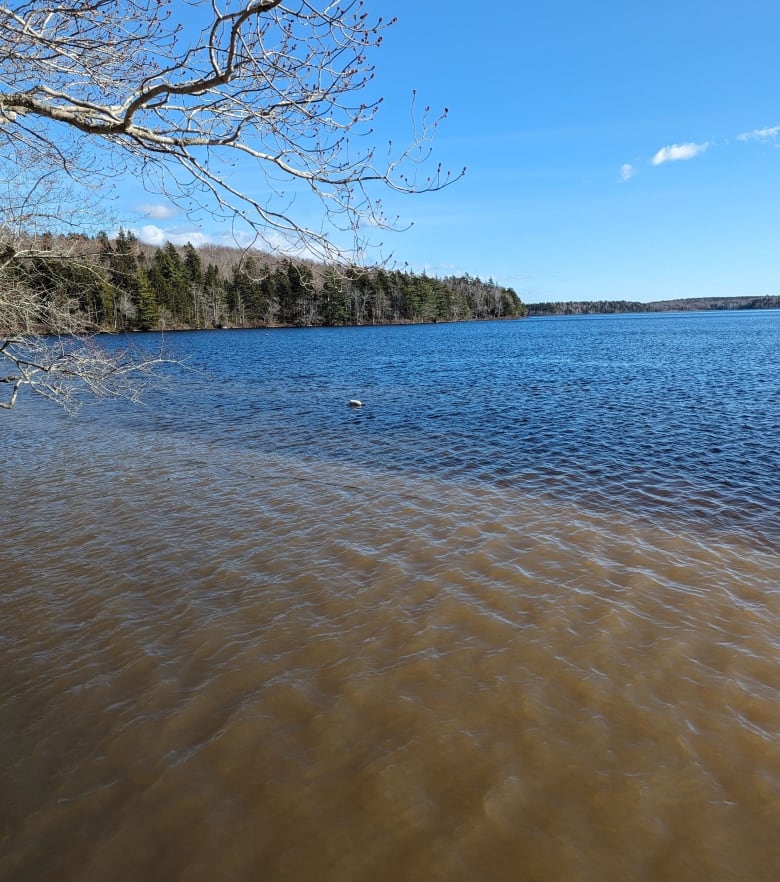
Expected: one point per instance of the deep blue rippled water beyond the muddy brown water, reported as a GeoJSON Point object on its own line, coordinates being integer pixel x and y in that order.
{"type": "Point", "coordinates": [672, 414]}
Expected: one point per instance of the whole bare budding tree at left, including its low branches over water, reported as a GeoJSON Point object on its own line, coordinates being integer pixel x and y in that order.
{"type": "Point", "coordinates": [240, 109]}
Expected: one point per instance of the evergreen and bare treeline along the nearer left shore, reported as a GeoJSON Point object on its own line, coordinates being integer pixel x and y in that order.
{"type": "Point", "coordinates": [122, 284]}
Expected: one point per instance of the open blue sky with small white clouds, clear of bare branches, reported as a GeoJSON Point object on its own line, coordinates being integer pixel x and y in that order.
{"type": "Point", "coordinates": [614, 150]}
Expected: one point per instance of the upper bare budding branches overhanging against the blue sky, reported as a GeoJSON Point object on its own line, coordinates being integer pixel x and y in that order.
{"type": "Point", "coordinates": [203, 99]}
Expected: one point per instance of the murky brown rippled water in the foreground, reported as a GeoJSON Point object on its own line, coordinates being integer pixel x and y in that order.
{"type": "Point", "coordinates": [224, 660]}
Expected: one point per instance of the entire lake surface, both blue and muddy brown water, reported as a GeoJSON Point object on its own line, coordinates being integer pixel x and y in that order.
{"type": "Point", "coordinates": [516, 618]}
